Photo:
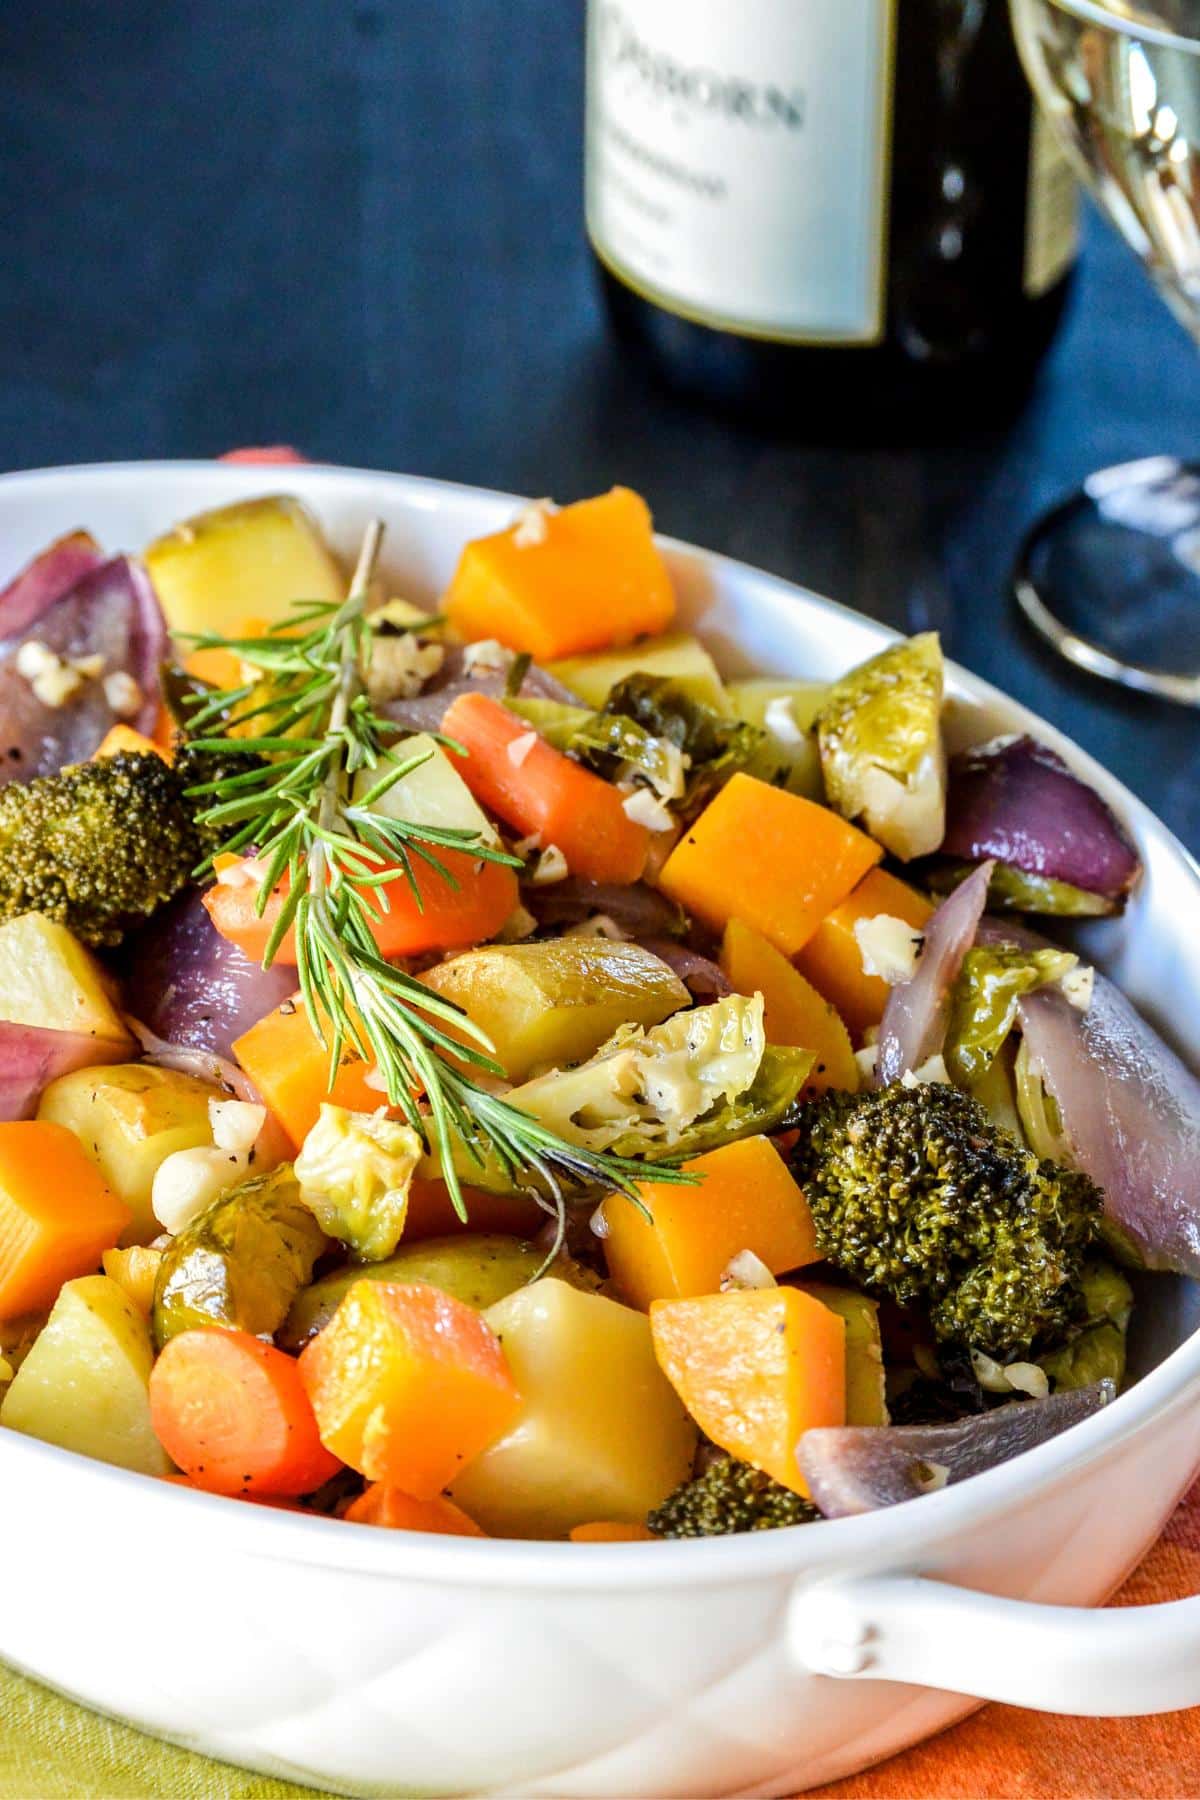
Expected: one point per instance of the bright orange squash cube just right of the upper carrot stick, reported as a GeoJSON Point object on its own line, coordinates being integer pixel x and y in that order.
{"type": "Point", "coordinates": [769, 858]}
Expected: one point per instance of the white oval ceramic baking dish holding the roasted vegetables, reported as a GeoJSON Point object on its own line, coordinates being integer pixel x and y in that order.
{"type": "Point", "coordinates": [395, 1664]}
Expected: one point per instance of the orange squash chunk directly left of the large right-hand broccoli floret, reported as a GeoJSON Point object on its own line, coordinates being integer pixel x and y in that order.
{"type": "Point", "coordinates": [746, 1201]}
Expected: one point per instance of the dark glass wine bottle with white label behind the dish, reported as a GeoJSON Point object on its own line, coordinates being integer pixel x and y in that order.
{"type": "Point", "coordinates": [827, 210]}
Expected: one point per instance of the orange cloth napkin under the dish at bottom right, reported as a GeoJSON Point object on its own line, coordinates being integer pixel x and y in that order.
{"type": "Point", "coordinates": [1008, 1754]}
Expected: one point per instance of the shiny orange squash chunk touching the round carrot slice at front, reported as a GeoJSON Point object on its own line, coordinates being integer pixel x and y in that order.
{"type": "Point", "coordinates": [407, 1385]}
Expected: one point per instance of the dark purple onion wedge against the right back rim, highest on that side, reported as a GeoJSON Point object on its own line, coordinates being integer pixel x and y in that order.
{"type": "Point", "coordinates": [1016, 800]}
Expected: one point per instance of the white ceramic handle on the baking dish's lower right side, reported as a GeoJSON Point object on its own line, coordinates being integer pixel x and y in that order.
{"type": "Point", "coordinates": [1053, 1659]}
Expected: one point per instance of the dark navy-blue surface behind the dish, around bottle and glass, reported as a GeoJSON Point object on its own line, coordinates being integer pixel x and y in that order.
{"type": "Point", "coordinates": [355, 226]}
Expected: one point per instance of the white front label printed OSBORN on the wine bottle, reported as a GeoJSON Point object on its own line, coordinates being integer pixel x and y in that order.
{"type": "Point", "coordinates": [737, 161]}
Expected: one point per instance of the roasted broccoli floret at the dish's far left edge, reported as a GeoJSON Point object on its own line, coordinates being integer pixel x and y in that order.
{"type": "Point", "coordinates": [98, 847]}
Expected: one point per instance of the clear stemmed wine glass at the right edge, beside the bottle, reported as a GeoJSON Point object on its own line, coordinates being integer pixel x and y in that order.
{"type": "Point", "coordinates": [1113, 575]}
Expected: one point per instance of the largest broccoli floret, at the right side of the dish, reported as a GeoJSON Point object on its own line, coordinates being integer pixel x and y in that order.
{"type": "Point", "coordinates": [918, 1196]}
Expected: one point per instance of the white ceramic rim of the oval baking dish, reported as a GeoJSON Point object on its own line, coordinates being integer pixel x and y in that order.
{"type": "Point", "coordinates": [882, 1538]}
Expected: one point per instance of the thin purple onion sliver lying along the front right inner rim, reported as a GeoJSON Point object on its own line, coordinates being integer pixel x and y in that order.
{"type": "Point", "coordinates": [861, 1468]}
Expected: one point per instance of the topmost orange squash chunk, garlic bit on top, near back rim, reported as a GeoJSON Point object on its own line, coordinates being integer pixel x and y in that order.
{"type": "Point", "coordinates": [582, 579]}
